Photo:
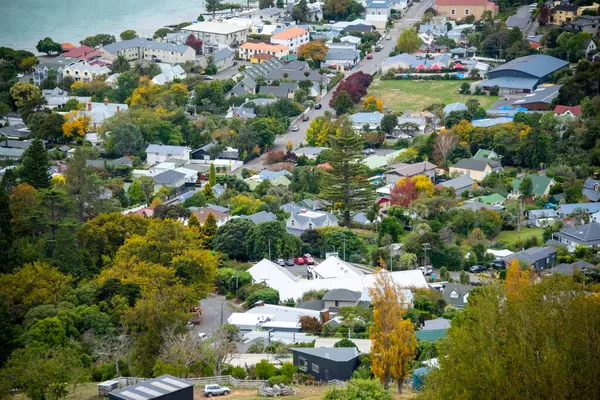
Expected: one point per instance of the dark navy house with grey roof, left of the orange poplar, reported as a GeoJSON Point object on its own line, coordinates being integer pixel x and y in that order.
{"type": "Point", "coordinates": [327, 364]}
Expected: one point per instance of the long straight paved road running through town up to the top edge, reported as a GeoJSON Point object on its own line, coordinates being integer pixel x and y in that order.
{"type": "Point", "coordinates": [412, 16]}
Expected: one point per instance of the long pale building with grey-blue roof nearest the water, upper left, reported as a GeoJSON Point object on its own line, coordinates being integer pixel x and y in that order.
{"type": "Point", "coordinates": [144, 49]}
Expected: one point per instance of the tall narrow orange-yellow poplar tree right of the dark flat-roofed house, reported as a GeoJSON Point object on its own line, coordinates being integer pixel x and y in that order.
{"type": "Point", "coordinates": [393, 339]}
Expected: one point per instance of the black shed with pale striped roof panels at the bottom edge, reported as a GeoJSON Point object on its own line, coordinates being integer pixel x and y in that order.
{"type": "Point", "coordinates": [165, 387]}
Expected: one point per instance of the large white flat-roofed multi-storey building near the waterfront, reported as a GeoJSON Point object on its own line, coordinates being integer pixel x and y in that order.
{"type": "Point", "coordinates": [216, 34]}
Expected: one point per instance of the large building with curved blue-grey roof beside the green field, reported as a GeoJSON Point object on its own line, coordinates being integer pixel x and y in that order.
{"type": "Point", "coordinates": [523, 74]}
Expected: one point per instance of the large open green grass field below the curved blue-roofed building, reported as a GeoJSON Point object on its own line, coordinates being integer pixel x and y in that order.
{"type": "Point", "coordinates": [401, 95]}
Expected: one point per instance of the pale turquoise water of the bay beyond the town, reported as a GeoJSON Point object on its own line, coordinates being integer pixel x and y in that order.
{"type": "Point", "coordinates": [24, 22]}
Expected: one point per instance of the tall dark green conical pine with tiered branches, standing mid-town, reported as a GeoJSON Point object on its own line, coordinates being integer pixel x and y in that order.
{"type": "Point", "coordinates": [346, 184]}
